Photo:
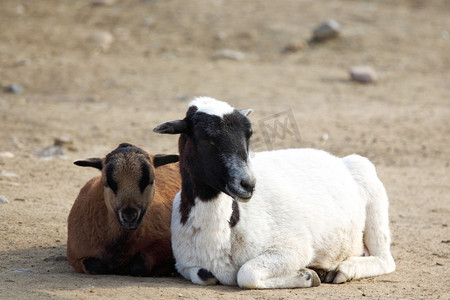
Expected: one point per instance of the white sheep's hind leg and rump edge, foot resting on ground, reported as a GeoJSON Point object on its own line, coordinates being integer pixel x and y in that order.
{"type": "Point", "coordinates": [376, 234]}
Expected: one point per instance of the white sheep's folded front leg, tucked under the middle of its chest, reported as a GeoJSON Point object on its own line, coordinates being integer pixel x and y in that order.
{"type": "Point", "coordinates": [275, 271]}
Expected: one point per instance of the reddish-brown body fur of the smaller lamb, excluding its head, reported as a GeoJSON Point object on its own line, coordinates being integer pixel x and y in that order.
{"type": "Point", "coordinates": [94, 231]}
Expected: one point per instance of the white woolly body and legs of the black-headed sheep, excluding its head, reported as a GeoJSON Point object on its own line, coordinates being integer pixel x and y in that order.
{"type": "Point", "coordinates": [309, 209]}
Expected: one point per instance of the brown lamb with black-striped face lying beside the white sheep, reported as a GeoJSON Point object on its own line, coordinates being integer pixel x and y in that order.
{"type": "Point", "coordinates": [120, 221]}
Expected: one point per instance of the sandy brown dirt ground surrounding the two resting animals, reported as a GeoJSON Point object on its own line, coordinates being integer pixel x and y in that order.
{"type": "Point", "coordinates": [107, 74]}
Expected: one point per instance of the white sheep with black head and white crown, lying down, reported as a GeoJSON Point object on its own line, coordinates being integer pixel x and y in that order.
{"type": "Point", "coordinates": [270, 221]}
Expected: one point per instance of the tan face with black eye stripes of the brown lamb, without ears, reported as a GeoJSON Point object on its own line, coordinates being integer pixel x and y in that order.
{"type": "Point", "coordinates": [128, 178]}
